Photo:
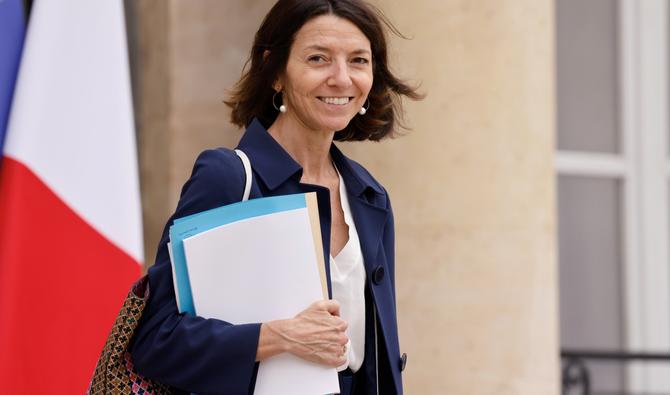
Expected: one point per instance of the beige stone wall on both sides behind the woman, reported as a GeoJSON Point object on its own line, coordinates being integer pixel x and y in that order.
{"type": "Point", "coordinates": [472, 184]}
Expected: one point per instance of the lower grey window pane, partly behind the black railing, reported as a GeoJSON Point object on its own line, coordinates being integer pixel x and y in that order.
{"type": "Point", "coordinates": [591, 296]}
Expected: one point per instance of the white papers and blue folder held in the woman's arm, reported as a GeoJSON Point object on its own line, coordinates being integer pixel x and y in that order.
{"type": "Point", "coordinates": [256, 261]}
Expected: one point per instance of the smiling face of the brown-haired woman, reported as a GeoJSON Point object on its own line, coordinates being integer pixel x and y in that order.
{"type": "Point", "coordinates": [328, 74]}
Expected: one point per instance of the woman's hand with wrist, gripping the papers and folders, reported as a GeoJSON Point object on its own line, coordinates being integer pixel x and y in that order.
{"type": "Point", "coordinates": [316, 334]}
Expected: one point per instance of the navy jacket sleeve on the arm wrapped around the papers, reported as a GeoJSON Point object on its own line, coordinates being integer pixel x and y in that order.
{"type": "Point", "coordinates": [190, 352]}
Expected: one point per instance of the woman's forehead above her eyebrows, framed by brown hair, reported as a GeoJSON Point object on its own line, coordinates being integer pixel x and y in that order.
{"type": "Point", "coordinates": [332, 32]}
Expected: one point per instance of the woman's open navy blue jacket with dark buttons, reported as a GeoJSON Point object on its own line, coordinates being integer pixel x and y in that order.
{"type": "Point", "coordinates": [209, 356]}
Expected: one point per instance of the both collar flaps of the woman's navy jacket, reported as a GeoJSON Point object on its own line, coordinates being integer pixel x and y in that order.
{"type": "Point", "coordinates": [275, 166]}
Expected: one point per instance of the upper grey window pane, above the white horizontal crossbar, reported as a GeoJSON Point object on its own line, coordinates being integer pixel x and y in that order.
{"type": "Point", "coordinates": [587, 76]}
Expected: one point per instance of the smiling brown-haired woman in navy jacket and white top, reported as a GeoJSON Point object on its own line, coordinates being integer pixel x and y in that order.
{"type": "Point", "coordinates": [318, 73]}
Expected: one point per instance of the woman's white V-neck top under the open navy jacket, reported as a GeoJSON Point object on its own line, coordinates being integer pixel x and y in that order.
{"type": "Point", "coordinates": [347, 278]}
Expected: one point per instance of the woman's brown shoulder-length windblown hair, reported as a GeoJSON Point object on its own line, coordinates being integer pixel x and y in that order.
{"type": "Point", "coordinates": [253, 94]}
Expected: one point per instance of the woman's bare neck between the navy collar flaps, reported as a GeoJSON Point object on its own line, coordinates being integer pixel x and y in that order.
{"type": "Point", "coordinates": [310, 148]}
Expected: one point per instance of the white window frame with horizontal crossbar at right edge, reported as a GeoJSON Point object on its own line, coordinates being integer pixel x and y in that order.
{"type": "Point", "coordinates": [643, 167]}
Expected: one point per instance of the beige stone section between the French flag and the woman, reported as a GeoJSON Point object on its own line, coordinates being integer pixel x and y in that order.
{"type": "Point", "coordinates": [184, 55]}
